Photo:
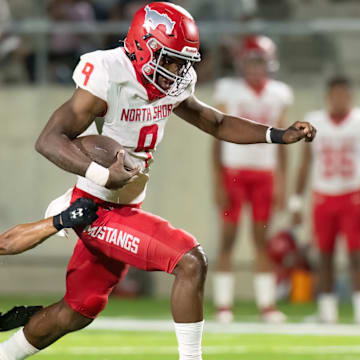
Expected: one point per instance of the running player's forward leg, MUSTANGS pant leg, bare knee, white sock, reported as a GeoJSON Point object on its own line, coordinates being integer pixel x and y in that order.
{"type": "Point", "coordinates": [150, 243]}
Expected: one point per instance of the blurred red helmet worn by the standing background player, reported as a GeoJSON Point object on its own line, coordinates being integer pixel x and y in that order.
{"type": "Point", "coordinates": [259, 46]}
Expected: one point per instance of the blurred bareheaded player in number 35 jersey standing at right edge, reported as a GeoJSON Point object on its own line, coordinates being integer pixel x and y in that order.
{"type": "Point", "coordinates": [334, 160]}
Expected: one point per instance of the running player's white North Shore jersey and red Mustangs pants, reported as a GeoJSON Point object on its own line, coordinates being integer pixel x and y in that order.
{"type": "Point", "coordinates": [123, 234]}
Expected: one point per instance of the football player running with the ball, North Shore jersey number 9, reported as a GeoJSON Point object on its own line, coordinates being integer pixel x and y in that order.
{"type": "Point", "coordinates": [135, 88]}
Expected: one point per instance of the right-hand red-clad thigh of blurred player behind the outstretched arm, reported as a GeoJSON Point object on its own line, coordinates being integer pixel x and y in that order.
{"type": "Point", "coordinates": [261, 194]}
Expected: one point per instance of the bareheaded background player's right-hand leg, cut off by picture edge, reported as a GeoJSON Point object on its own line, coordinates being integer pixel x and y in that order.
{"type": "Point", "coordinates": [350, 226]}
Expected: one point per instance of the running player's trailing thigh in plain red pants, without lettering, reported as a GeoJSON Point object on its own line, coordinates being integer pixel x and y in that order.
{"type": "Point", "coordinates": [90, 279]}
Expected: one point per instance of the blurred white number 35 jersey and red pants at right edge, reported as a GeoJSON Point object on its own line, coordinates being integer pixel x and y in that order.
{"type": "Point", "coordinates": [336, 179]}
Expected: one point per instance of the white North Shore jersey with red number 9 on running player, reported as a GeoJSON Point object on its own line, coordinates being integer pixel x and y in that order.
{"type": "Point", "coordinates": [131, 119]}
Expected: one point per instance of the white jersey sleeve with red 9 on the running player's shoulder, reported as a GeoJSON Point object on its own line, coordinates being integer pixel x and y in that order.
{"type": "Point", "coordinates": [91, 74]}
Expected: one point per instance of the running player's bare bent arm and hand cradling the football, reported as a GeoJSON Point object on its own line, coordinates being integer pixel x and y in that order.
{"type": "Point", "coordinates": [66, 123]}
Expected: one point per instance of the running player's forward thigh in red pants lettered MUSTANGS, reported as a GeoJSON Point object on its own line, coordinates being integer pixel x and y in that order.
{"type": "Point", "coordinates": [137, 238]}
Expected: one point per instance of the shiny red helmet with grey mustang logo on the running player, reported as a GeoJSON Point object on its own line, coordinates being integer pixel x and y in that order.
{"type": "Point", "coordinates": [160, 30]}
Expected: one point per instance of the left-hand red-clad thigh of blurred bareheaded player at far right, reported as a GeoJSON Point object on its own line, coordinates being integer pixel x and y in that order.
{"type": "Point", "coordinates": [325, 226]}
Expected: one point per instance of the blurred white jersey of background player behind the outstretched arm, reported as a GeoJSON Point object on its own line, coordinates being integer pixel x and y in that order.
{"type": "Point", "coordinates": [264, 107]}
